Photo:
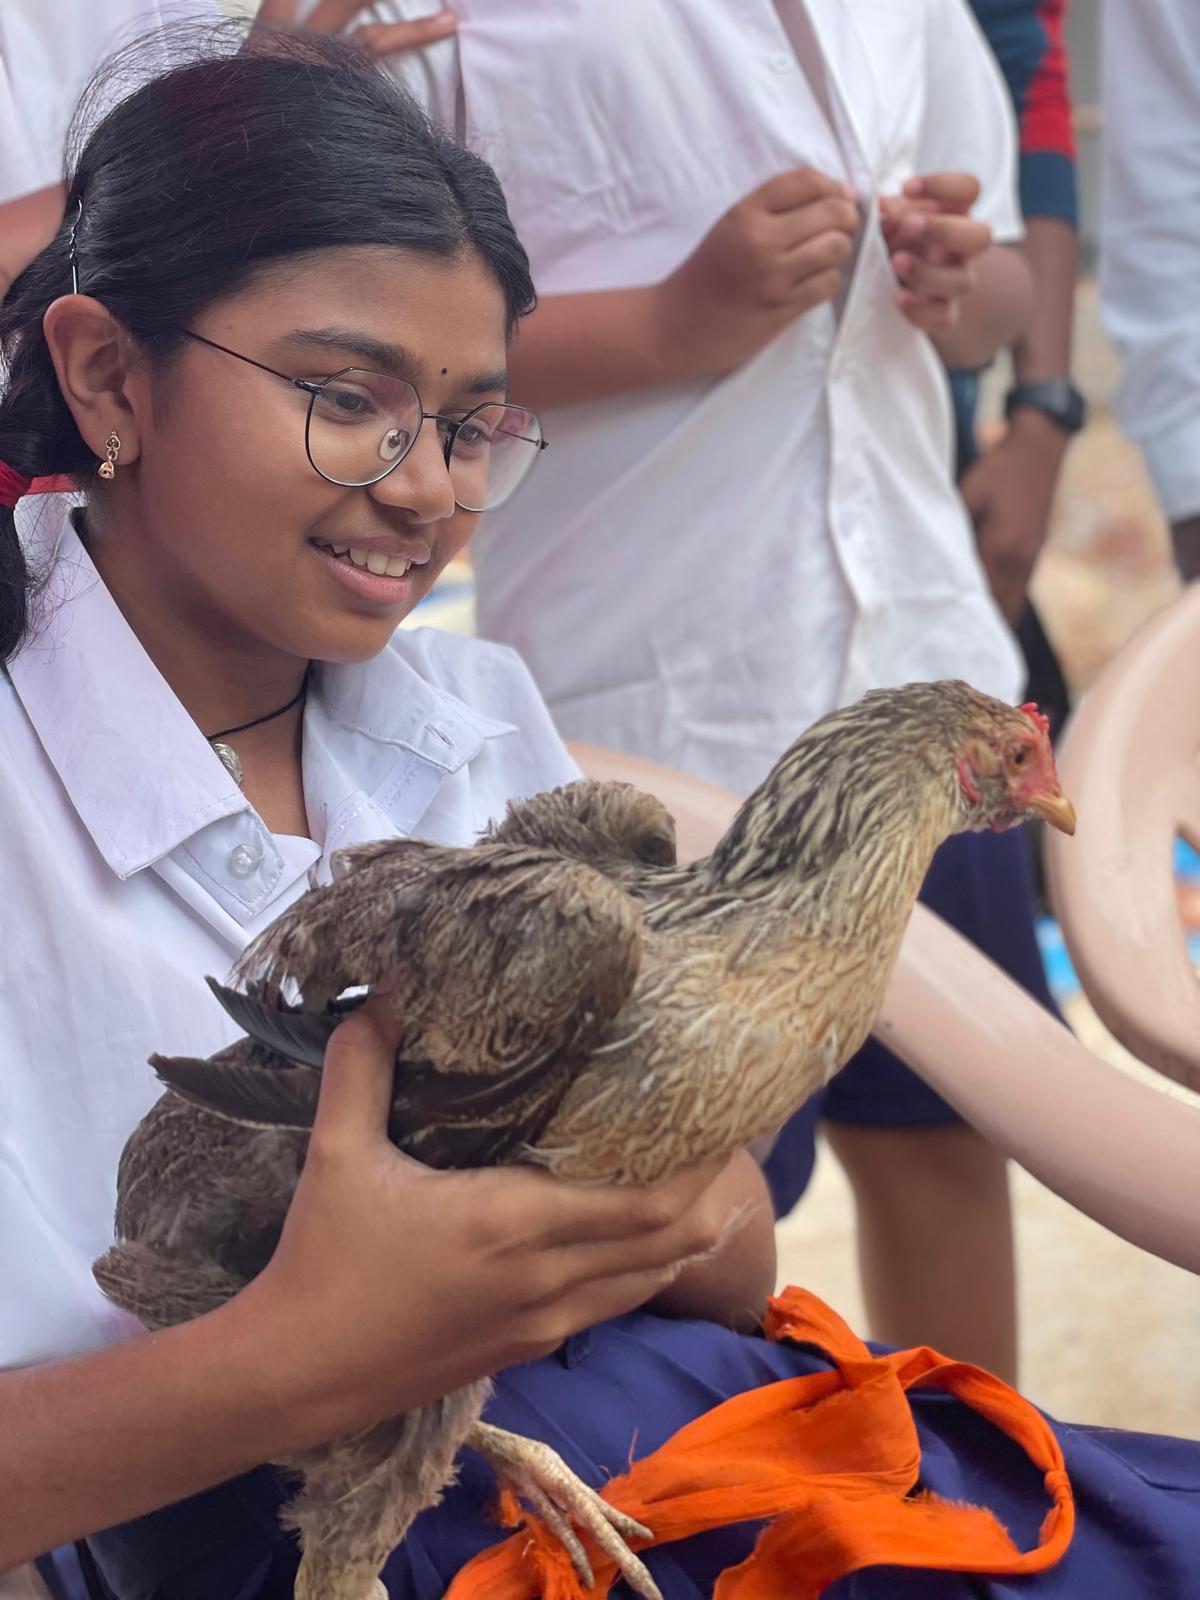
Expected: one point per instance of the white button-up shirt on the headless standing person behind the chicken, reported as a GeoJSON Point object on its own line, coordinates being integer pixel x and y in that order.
{"type": "Point", "coordinates": [695, 574]}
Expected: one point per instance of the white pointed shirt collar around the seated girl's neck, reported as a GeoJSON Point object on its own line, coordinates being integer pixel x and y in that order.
{"type": "Point", "coordinates": [142, 775]}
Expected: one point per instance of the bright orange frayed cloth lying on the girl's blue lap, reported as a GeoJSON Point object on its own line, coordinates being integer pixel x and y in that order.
{"type": "Point", "coordinates": [830, 1458]}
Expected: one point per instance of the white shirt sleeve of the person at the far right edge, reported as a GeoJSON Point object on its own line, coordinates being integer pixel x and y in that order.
{"type": "Point", "coordinates": [1151, 246]}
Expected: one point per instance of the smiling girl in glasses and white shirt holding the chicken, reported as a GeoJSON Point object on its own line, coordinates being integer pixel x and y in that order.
{"type": "Point", "coordinates": [263, 364]}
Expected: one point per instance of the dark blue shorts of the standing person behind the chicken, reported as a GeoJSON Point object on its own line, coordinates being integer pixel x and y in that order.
{"type": "Point", "coordinates": [983, 886]}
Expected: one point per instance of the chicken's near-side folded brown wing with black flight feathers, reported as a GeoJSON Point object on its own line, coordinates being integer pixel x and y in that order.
{"type": "Point", "coordinates": [510, 962]}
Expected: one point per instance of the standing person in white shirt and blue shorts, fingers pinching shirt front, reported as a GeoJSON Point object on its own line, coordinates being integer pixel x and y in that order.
{"type": "Point", "coordinates": [753, 231]}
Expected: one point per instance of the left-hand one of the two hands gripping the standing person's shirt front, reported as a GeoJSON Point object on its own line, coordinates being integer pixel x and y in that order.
{"type": "Point", "coordinates": [774, 257]}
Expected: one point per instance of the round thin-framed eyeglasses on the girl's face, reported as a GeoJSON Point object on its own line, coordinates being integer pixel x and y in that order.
{"type": "Point", "coordinates": [362, 425]}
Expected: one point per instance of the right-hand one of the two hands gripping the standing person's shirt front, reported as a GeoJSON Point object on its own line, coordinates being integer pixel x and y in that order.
{"type": "Point", "coordinates": [934, 244]}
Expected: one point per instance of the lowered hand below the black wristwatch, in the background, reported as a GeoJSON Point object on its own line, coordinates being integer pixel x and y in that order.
{"type": "Point", "coordinates": [1009, 494]}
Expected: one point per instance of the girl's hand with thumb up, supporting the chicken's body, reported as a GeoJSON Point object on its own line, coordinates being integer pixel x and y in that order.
{"type": "Point", "coordinates": [394, 1284]}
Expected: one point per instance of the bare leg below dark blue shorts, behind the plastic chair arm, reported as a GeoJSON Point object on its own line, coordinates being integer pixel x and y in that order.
{"type": "Point", "coordinates": [935, 1239]}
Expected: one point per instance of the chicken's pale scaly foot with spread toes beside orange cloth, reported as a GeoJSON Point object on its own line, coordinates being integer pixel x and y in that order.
{"type": "Point", "coordinates": [542, 1478]}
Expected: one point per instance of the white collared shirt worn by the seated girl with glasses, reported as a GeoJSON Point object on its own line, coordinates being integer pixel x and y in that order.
{"type": "Point", "coordinates": [132, 866]}
